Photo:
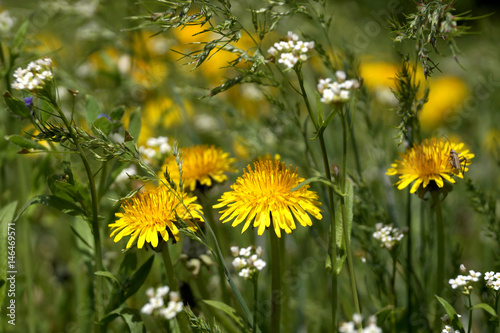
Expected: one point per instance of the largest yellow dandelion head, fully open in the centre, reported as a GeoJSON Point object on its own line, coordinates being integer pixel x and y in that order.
{"type": "Point", "coordinates": [265, 194]}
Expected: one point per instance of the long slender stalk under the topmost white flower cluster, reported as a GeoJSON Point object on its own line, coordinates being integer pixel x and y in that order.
{"type": "Point", "coordinates": [333, 230]}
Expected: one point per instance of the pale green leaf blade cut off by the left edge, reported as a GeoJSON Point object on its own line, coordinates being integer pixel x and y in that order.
{"type": "Point", "coordinates": [6, 217]}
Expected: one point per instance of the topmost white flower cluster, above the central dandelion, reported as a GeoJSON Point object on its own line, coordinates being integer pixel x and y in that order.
{"type": "Point", "coordinates": [291, 51]}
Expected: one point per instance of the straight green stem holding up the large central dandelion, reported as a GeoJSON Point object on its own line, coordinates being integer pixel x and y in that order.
{"type": "Point", "coordinates": [275, 283]}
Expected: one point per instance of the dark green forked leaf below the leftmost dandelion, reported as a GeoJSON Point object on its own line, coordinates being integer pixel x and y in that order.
{"type": "Point", "coordinates": [129, 283]}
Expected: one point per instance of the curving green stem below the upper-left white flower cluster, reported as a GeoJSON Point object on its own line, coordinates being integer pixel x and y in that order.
{"type": "Point", "coordinates": [98, 266]}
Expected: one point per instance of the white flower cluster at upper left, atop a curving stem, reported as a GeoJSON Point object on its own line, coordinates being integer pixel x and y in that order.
{"type": "Point", "coordinates": [34, 76]}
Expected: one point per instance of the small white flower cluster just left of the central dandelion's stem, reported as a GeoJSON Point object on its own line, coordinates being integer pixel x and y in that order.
{"type": "Point", "coordinates": [248, 261]}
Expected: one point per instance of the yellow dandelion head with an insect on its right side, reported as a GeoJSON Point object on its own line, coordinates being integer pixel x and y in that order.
{"type": "Point", "coordinates": [430, 161]}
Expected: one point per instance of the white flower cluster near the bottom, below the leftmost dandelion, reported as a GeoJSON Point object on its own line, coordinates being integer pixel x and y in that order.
{"type": "Point", "coordinates": [156, 305]}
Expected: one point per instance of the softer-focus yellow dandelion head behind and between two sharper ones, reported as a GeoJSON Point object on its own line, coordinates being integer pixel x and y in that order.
{"type": "Point", "coordinates": [200, 164]}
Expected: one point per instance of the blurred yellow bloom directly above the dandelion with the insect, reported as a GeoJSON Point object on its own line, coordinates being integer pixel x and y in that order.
{"type": "Point", "coordinates": [446, 93]}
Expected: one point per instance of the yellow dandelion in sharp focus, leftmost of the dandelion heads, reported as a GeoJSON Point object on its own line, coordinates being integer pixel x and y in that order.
{"type": "Point", "coordinates": [153, 214]}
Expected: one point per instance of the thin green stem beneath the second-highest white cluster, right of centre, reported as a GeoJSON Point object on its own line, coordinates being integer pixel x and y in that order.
{"type": "Point", "coordinates": [350, 264]}
